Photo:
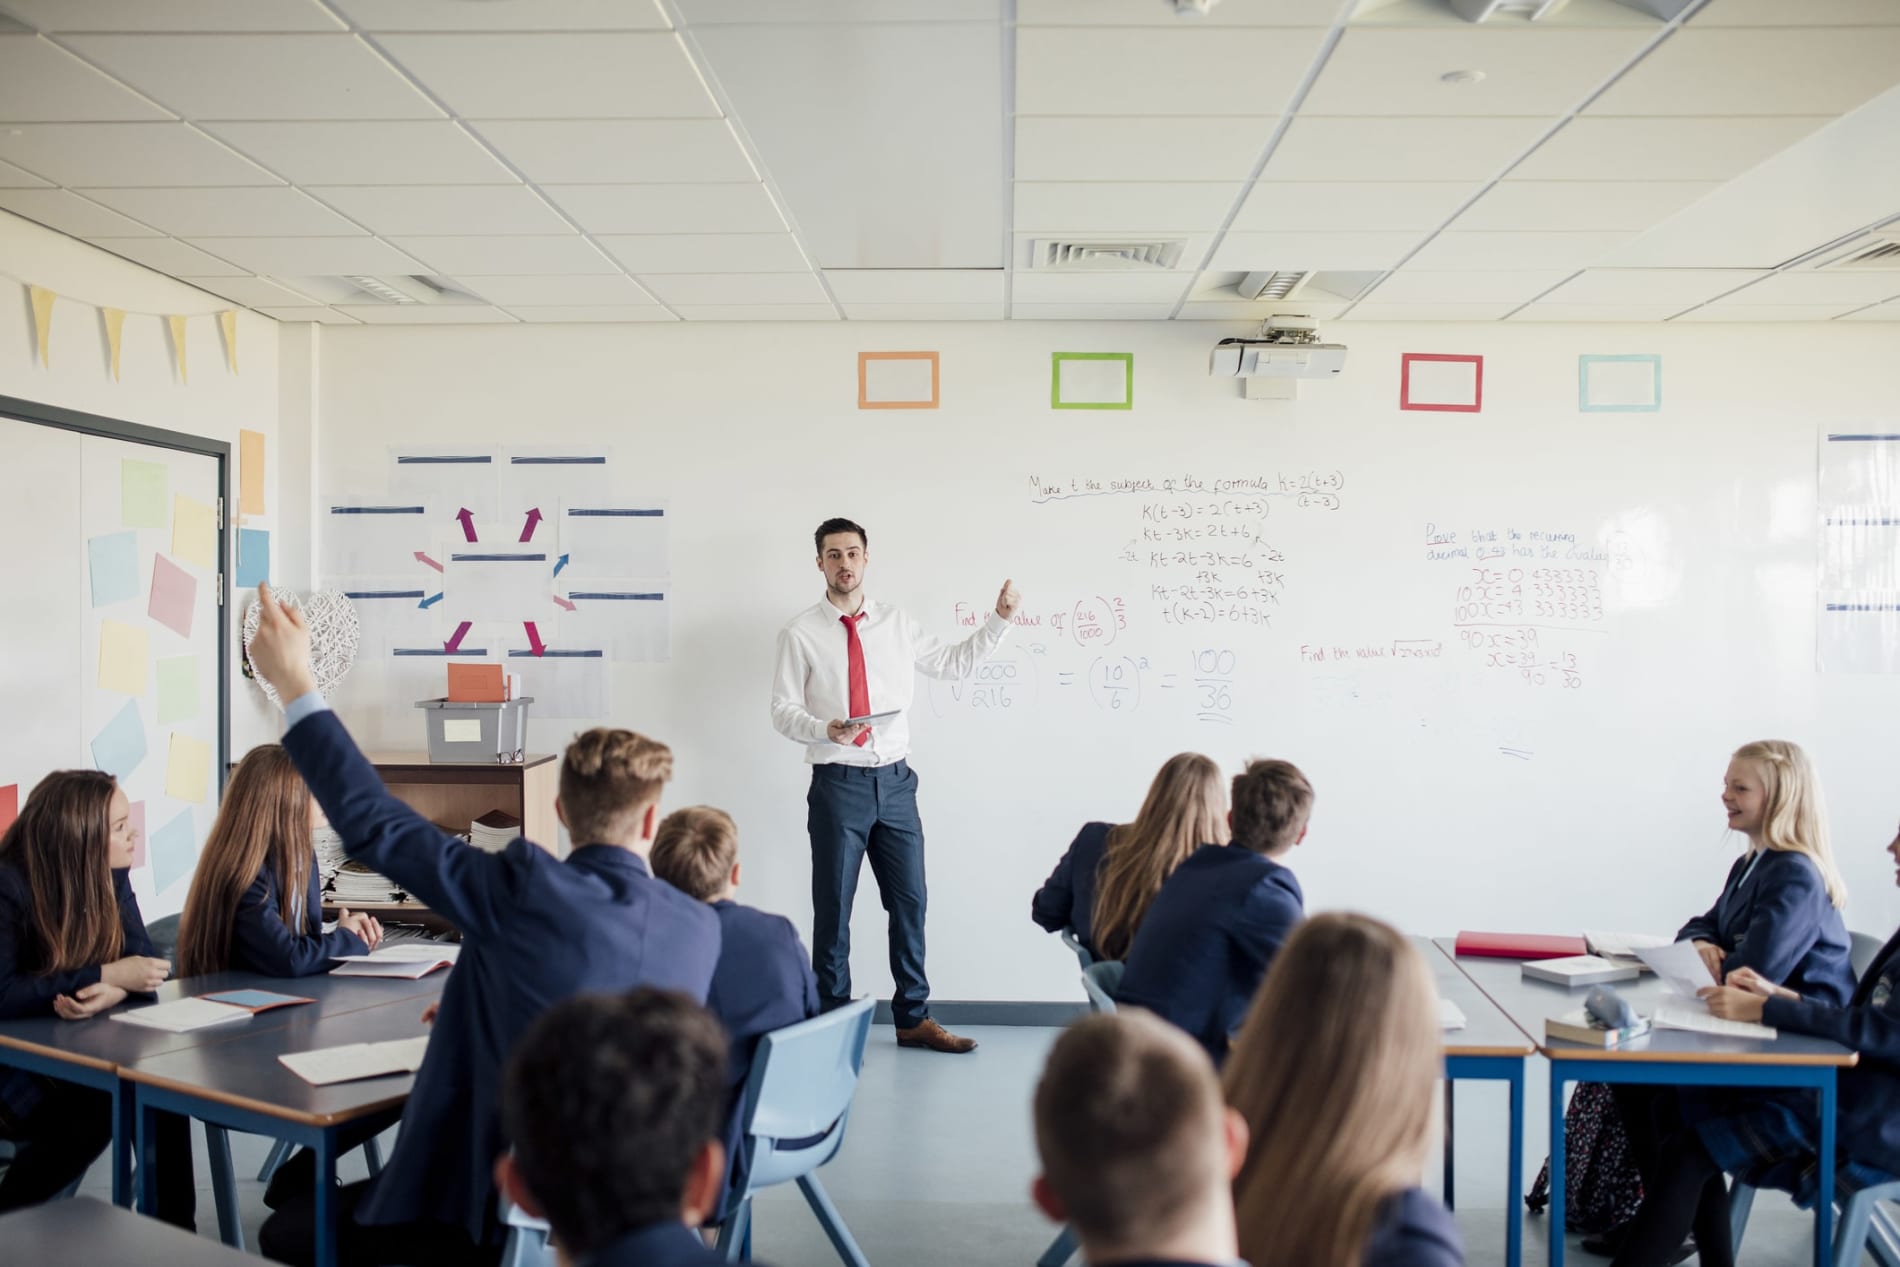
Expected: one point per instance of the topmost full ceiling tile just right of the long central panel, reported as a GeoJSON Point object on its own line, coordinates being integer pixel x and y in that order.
{"type": "Point", "coordinates": [1160, 71]}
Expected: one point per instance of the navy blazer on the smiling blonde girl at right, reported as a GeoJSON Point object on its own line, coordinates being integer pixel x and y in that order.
{"type": "Point", "coordinates": [1781, 924]}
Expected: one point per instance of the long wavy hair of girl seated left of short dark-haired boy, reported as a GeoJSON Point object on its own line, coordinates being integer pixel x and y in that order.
{"type": "Point", "coordinates": [1187, 808]}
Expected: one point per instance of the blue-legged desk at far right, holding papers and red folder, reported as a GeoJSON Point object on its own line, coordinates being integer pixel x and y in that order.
{"type": "Point", "coordinates": [1665, 1057]}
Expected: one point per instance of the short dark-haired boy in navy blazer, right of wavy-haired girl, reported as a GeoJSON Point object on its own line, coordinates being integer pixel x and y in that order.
{"type": "Point", "coordinates": [1223, 915]}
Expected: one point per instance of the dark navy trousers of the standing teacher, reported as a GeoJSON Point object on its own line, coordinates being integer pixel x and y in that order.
{"type": "Point", "coordinates": [860, 812]}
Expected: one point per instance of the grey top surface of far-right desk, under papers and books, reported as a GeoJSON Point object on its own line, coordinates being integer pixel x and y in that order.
{"type": "Point", "coordinates": [1534, 1002]}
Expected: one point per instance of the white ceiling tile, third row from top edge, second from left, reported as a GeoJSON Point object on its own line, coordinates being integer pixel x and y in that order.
{"type": "Point", "coordinates": [356, 153]}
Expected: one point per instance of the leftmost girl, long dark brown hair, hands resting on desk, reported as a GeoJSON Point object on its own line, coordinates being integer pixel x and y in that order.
{"type": "Point", "coordinates": [73, 945]}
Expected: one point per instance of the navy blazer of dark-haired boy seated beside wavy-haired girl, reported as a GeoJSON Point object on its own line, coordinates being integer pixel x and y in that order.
{"type": "Point", "coordinates": [1207, 941]}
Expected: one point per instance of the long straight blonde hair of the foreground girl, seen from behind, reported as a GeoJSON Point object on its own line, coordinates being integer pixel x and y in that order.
{"type": "Point", "coordinates": [1335, 1074]}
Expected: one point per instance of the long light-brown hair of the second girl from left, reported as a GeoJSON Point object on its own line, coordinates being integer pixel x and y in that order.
{"type": "Point", "coordinates": [263, 825]}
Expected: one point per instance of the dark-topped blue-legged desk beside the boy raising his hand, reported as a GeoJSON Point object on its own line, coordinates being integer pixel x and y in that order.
{"type": "Point", "coordinates": [242, 1086]}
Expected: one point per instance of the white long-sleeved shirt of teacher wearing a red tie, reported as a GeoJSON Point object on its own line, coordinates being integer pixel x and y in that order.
{"type": "Point", "coordinates": [812, 685]}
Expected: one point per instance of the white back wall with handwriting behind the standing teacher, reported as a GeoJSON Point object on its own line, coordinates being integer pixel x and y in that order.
{"type": "Point", "coordinates": [753, 436]}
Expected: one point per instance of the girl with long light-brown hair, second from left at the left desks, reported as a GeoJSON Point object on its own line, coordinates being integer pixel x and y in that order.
{"type": "Point", "coordinates": [257, 899]}
